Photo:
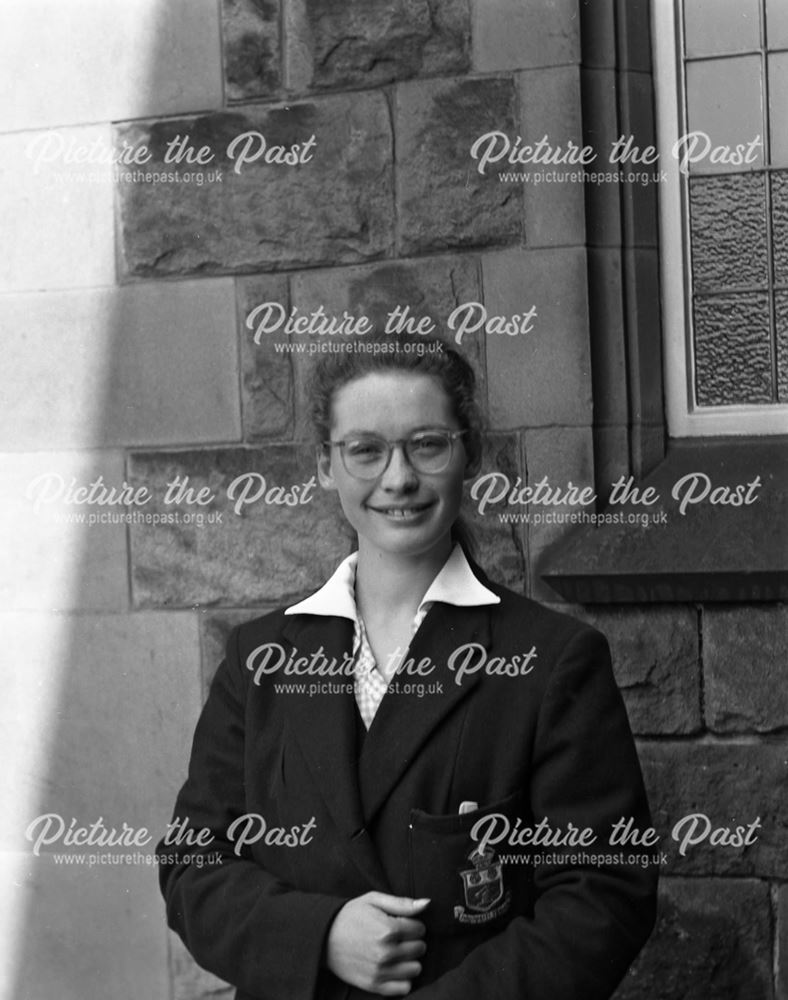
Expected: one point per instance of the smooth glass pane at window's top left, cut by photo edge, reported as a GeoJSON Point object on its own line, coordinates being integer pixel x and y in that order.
{"type": "Point", "coordinates": [716, 26]}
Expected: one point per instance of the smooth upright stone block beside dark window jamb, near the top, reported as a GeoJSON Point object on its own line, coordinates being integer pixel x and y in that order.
{"type": "Point", "coordinates": [550, 103]}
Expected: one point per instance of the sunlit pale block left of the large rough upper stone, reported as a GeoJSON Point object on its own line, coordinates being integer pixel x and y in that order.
{"type": "Point", "coordinates": [57, 217]}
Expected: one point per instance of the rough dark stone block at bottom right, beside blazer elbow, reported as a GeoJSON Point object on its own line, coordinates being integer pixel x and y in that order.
{"type": "Point", "coordinates": [712, 940]}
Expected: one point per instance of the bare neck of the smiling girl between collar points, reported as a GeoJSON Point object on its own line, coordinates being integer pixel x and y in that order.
{"type": "Point", "coordinates": [391, 583]}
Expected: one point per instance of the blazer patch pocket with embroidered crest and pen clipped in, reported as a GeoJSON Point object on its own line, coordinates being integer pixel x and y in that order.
{"type": "Point", "coordinates": [470, 884]}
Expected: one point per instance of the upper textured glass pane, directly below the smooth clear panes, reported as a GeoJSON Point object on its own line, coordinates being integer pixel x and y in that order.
{"type": "Point", "coordinates": [728, 232]}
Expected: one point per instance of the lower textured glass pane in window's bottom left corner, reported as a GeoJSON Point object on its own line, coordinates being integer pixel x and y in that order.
{"type": "Point", "coordinates": [732, 350]}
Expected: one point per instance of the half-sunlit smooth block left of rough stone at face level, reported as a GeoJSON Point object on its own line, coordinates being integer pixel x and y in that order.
{"type": "Point", "coordinates": [52, 559]}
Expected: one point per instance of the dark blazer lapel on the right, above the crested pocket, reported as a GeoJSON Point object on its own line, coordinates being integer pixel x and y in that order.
{"type": "Point", "coordinates": [403, 723]}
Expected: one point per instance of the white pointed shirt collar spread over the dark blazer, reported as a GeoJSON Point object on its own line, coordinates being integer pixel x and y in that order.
{"type": "Point", "coordinates": [455, 584]}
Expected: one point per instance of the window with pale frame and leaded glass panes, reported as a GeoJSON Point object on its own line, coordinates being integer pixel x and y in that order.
{"type": "Point", "coordinates": [722, 102]}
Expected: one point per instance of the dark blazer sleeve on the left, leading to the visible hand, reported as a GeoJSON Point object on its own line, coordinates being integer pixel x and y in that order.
{"type": "Point", "coordinates": [236, 919]}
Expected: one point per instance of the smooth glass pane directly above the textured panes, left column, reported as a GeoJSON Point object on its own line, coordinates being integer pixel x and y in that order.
{"type": "Point", "coordinates": [725, 102]}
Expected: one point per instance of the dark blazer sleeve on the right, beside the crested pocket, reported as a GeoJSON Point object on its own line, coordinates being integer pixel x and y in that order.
{"type": "Point", "coordinates": [590, 919]}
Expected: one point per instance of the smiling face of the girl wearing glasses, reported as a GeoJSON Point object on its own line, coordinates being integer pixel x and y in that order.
{"type": "Point", "coordinates": [402, 511]}
